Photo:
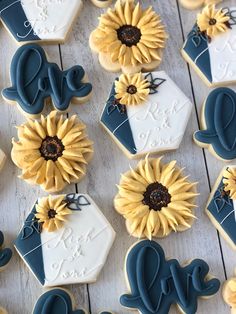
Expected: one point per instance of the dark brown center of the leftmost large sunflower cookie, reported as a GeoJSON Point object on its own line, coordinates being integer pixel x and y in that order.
{"type": "Point", "coordinates": [51, 148]}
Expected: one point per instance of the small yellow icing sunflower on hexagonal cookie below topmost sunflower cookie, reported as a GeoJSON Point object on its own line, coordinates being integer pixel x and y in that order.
{"type": "Point", "coordinates": [131, 89]}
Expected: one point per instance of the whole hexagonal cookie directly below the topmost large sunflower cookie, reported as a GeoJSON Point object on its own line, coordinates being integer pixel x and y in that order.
{"type": "Point", "coordinates": [146, 113]}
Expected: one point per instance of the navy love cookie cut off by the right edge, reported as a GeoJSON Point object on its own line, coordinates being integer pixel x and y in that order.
{"type": "Point", "coordinates": [218, 124]}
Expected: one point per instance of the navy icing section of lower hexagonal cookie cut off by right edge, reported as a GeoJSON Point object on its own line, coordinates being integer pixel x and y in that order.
{"type": "Point", "coordinates": [222, 209]}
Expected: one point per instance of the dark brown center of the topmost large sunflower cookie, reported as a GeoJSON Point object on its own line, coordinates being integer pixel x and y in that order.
{"type": "Point", "coordinates": [129, 35]}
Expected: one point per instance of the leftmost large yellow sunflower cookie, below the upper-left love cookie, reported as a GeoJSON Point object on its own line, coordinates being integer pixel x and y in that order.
{"type": "Point", "coordinates": [53, 151]}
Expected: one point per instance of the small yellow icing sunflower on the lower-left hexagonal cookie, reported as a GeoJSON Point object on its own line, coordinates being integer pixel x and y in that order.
{"type": "Point", "coordinates": [51, 212]}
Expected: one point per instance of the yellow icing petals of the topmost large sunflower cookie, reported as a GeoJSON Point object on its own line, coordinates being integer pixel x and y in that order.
{"type": "Point", "coordinates": [148, 22]}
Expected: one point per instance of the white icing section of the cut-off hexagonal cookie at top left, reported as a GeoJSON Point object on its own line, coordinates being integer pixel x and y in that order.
{"type": "Point", "coordinates": [49, 19]}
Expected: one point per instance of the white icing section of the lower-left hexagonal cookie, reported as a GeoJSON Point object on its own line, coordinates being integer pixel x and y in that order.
{"type": "Point", "coordinates": [77, 252]}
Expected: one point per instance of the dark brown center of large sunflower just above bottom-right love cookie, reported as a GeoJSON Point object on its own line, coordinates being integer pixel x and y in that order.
{"type": "Point", "coordinates": [156, 196]}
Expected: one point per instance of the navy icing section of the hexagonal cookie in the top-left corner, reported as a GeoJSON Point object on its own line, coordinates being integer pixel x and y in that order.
{"type": "Point", "coordinates": [13, 16]}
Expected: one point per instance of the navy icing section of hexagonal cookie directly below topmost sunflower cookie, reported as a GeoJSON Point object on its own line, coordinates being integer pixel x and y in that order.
{"type": "Point", "coordinates": [112, 120]}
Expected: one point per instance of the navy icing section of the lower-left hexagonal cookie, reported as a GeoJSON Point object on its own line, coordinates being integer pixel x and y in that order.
{"type": "Point", "coordinates": [28, 243]}
